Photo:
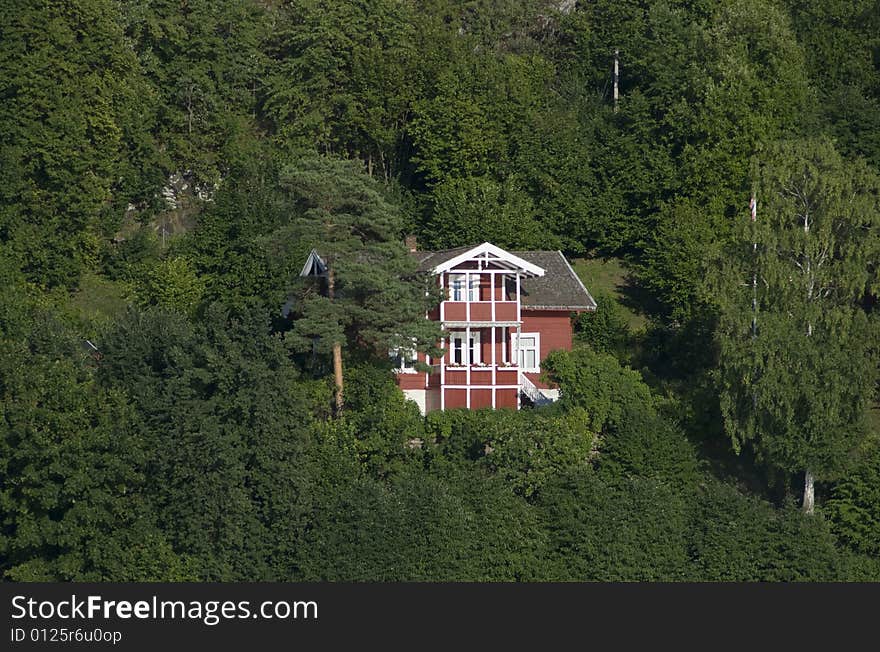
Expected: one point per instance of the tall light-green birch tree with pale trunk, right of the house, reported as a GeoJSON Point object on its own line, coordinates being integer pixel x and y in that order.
{"type": "Point", "coordinates": [798, 354]}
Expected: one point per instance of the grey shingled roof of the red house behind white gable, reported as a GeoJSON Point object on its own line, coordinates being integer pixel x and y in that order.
{"type": "Point", "coordinates": [559, 288]}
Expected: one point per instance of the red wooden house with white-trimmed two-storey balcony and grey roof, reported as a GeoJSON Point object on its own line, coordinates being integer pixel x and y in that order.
{"type": "Point", "coordinates": [503, 312]}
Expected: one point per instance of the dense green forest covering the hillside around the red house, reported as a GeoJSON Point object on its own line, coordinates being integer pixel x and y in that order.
{"type": "Point", "coordinates": [167, 165]}
